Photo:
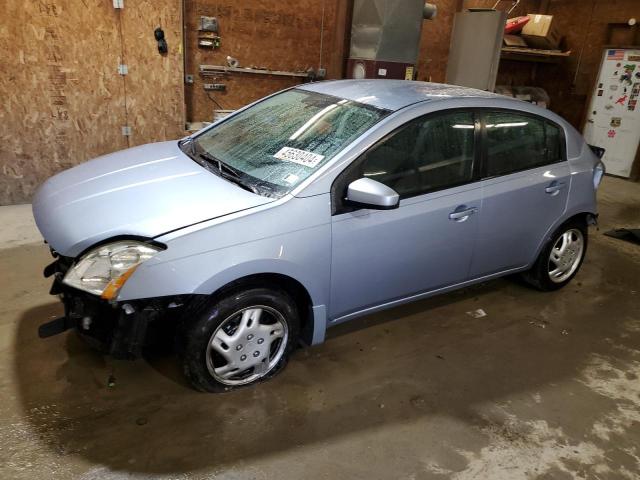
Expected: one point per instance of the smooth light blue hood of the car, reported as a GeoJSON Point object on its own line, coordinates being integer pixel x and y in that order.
{"type": "Point", "coordinates": [142, 191]}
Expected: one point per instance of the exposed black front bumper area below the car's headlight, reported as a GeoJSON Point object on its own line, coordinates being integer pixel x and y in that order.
{"type": "Point", "coordinates": [121, 329]}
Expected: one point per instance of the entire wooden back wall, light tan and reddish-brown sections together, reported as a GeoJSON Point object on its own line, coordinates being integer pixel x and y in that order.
{"type": "Point", "coordinates": [63, 101]}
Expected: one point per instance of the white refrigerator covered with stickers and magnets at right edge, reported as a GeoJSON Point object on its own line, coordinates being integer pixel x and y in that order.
{"type": "Point", "coordinates": [613, 120]}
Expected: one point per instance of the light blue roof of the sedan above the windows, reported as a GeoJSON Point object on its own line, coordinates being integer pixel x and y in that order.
{"type": "Point", "coordinates": [393, 94]}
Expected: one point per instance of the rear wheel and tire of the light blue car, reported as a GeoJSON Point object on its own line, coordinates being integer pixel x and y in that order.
{"type": "Point", "coordinates": [549, 274]}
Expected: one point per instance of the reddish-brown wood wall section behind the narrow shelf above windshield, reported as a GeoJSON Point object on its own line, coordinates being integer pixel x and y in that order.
{"type": "Point", "coordinates": [259, 33]}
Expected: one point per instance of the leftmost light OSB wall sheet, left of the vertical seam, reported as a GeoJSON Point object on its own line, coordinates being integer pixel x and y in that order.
{"type": "Point", "coordinates": [62, 100]}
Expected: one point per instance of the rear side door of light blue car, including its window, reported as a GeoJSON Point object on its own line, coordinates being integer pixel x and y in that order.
{"type": "Point", "coordinates": [525, 187]}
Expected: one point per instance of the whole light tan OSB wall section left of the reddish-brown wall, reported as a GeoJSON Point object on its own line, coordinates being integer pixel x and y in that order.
{"type": "Point", "coordinates": [63, 101]}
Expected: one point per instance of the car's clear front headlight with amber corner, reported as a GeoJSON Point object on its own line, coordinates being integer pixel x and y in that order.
{"type": "Point", "coordinates": [104, 270]}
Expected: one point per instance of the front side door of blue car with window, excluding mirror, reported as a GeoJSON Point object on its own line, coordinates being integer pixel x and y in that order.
{"type": "Point", "coordinates": [379, 256]}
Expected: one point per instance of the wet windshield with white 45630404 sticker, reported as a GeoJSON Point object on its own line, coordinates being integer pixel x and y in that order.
{"type": "Point", "coordinates": [276, 144]}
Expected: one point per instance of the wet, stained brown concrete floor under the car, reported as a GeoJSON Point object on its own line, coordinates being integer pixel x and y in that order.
{"type": "Point", "coordinates": [545, 386]}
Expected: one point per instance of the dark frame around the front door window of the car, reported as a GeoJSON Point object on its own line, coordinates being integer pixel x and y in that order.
{"type": "Point", "coordinates": [337, 203]}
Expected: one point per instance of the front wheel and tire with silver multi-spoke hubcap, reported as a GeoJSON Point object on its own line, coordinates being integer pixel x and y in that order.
{"type": "Point", "coordinates": [238, 340]}
